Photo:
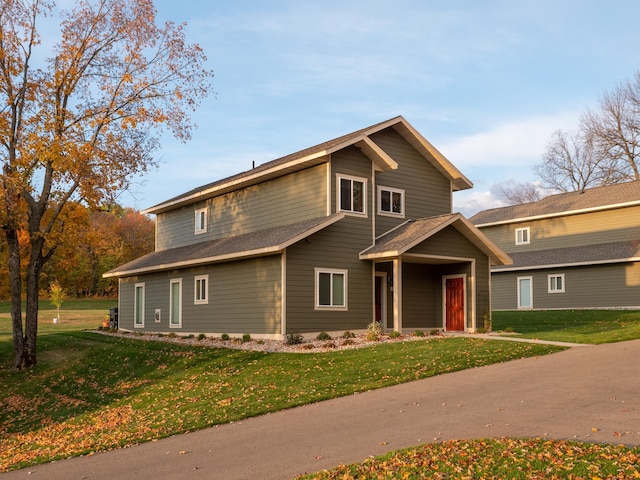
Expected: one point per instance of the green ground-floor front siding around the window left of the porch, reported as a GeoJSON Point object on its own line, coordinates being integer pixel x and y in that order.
{"type": "Point", "coordinates": [336, 247]}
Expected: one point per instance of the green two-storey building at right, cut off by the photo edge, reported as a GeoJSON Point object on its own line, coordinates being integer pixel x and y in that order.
{"type": "Point", "coordinates": [578, 250]}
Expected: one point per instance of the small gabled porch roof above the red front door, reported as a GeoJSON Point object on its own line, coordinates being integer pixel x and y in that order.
{"type": "Point", "coordinates": [412, 232]}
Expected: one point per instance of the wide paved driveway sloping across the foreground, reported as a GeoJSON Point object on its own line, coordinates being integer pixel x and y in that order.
{"type": "Point", "coordinates": [584, 393]}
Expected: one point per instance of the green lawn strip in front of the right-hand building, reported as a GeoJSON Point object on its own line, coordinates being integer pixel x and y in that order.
{"type": "Point", "coordinates": [575, 326]}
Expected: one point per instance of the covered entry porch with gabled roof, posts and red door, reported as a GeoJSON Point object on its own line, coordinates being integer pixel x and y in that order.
{"type": "Point", "coordinates": [433, 273]}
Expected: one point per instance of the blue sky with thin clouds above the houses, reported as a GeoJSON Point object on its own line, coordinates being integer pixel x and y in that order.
{"type": "Point", "coordinates": [486, 82]}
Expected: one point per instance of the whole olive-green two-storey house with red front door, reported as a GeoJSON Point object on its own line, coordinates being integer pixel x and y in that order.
{"type": "Point", "coordinates": [327, 239]}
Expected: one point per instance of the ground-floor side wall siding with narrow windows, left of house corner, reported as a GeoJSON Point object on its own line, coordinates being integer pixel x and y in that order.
{"type": "Point", "coordinates": [244, 297]}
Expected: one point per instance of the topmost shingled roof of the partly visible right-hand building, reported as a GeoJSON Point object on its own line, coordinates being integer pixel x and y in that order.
{"type": "Point", "coordinates": [592, 199]}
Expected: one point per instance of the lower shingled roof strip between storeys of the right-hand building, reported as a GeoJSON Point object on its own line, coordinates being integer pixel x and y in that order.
{"type": "Point", "coordinates": [605, 253]}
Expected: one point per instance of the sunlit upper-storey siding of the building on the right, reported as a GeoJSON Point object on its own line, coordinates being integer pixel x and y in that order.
{"type": "Point", "coordinates": [570, 231]}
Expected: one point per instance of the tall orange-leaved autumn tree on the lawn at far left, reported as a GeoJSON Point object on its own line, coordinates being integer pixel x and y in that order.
{"type": "Point", "coordinates": [77, 126]}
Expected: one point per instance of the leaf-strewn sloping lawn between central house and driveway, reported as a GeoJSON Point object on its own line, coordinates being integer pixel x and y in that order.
{"type": "Point", "coordinates": [92, 392]}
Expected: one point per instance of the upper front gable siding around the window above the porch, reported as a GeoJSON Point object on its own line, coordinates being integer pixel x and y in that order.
{"type": "Point", "coordinates": [427, 191]}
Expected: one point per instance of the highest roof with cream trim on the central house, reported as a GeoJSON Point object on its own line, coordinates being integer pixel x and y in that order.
{"type": "Point", "coordinates": [318, 154]}
